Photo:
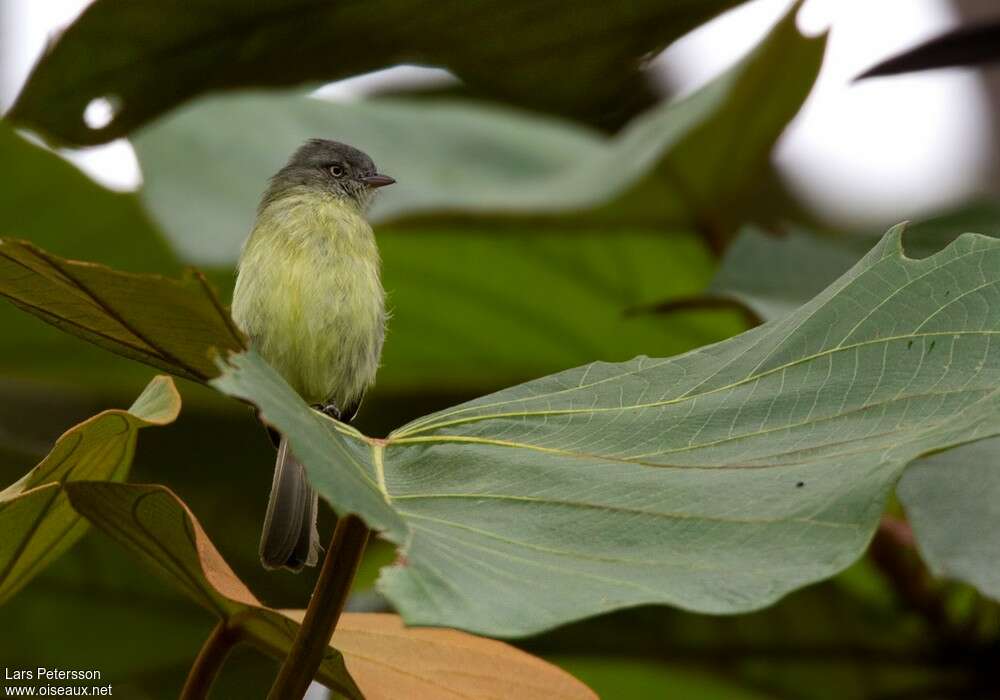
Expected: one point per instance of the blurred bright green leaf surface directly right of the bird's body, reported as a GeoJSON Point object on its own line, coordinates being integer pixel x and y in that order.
{"type": "Point", "coordinates": [475, 310]}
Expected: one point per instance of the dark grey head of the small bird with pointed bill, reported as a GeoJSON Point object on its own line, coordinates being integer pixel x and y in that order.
{"type": "Point", "coordinates": [330, 167]}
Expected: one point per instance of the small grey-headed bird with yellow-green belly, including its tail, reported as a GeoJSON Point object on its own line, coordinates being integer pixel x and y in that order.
{"type": "Point", "coordinates": [309, 297]}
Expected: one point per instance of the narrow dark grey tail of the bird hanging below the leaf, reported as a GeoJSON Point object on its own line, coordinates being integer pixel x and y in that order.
{"type": "Point", "coordinates": [290, 539]}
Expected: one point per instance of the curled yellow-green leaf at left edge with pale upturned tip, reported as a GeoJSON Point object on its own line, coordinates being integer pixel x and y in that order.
{"type": "Point", "coordinates": [37, 522]}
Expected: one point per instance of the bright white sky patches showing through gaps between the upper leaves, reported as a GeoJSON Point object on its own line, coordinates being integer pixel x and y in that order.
{"type": "Point", "coordinates": [871, 153]}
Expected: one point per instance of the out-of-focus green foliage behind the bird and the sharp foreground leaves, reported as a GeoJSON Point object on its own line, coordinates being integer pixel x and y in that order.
{"type": "Point", "coordinates": [515, 245]}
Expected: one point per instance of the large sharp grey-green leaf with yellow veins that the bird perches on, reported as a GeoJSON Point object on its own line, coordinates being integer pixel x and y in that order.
{"type": "Point", "coordinates": [716, 481]}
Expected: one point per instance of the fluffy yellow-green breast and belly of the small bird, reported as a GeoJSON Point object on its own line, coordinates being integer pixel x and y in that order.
{"type": "Point", "coordinates": [309, 296]}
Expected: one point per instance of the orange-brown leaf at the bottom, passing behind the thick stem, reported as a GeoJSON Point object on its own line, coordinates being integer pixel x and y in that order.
{"type": "Point", "coordinates": [385, 659]}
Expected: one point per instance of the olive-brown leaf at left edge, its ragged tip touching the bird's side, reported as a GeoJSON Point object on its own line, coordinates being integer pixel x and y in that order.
{"type": "Point", "coordinates": [166, 323]}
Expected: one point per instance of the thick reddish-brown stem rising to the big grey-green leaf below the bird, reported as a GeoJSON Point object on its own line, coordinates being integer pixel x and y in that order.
{"type": "Point", "coordinates": [310, 645]}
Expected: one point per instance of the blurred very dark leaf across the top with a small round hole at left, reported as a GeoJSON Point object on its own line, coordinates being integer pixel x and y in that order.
{"type": "Point", "coordinates": [586, 63]}
